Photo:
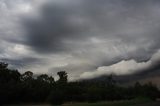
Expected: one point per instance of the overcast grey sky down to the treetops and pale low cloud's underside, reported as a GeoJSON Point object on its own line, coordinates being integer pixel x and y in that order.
{"type": "Point", "coordinates": [86, 38]}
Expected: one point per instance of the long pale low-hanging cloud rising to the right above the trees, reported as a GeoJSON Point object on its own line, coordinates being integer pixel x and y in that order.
{"type": "Point", "coordinates": [124, 67]}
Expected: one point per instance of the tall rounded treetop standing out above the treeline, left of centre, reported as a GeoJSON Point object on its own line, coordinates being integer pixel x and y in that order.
{"type": "Point", "coordinates": [62, 77]}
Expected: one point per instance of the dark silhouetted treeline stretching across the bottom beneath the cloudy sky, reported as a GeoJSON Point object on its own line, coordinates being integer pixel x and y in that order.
{"type": "Point", "coordinates": [25, 88]}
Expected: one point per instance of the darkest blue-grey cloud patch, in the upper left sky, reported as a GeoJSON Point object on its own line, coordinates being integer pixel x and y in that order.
{"type": "Point", "coordinates": [49, 33]}
